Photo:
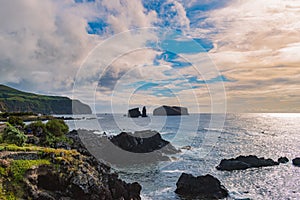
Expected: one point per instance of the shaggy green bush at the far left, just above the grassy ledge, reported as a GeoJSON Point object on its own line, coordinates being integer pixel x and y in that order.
{"type": "Point", "coordinates": [12, 135]}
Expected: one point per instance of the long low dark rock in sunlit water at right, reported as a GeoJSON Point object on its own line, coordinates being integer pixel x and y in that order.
{"type": "Point", "coordinates": [245, 162]}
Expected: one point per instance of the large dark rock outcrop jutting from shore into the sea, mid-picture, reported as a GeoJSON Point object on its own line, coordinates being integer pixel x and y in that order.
{"type": "Point", "coordinates": [126, 148]}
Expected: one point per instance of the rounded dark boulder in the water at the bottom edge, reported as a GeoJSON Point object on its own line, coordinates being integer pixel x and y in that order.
{"type": "Point", "coordinates": [207, 187]}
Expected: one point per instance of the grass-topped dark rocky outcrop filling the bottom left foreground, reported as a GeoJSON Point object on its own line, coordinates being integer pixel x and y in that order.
{"type": "Point", "coordinates": [68, 174]}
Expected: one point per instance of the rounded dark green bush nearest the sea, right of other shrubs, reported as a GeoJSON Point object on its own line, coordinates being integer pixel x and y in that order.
{"type": "Point", "coordinates": [57, 127]}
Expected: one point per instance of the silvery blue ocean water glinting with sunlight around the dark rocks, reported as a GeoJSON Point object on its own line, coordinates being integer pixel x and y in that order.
{"type": "Point", "coordinates": [212, 137]}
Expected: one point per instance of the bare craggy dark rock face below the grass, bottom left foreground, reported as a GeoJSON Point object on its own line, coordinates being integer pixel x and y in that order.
{"type": "Point", "coordinates": [77, 181]}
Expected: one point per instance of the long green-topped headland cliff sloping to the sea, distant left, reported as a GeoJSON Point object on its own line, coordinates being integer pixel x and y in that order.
{"type": "Point", "coordinates": [12, 100]}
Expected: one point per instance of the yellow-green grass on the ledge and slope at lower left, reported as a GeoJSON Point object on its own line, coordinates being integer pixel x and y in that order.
{"type": "Point", "coordinates": [11, 176]}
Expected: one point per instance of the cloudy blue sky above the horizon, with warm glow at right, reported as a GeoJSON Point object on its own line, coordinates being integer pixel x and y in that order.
{"type": "Point", "coordinates": [208, 55]}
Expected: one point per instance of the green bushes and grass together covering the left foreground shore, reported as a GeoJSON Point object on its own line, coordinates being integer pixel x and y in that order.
{"type": "Point", "coordinates": [13, 141]}
